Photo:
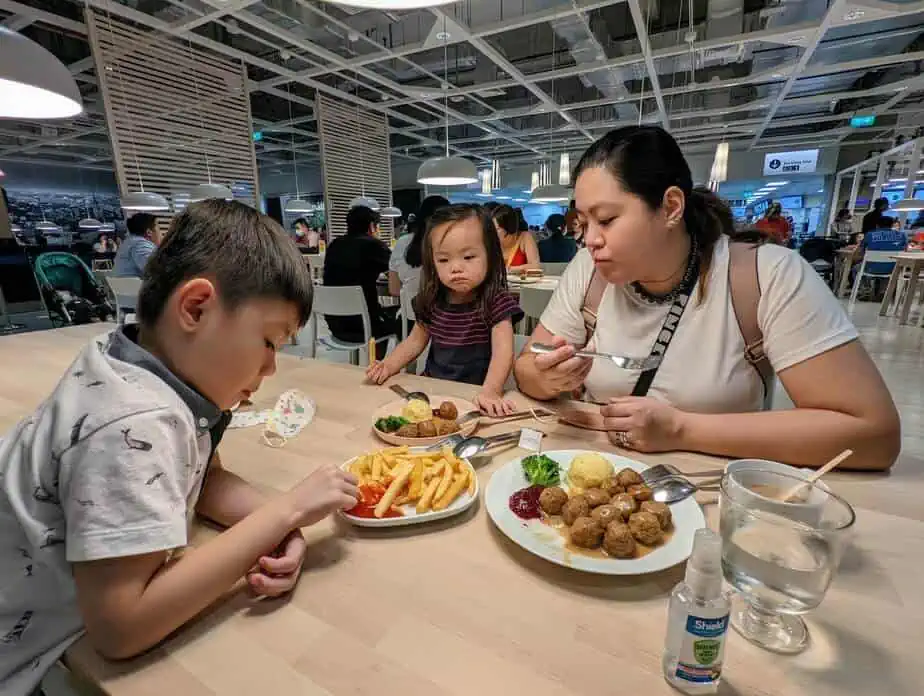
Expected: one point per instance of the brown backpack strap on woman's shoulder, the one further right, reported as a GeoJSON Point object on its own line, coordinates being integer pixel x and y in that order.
{"type": "Point", "coordinates": [744, 287]}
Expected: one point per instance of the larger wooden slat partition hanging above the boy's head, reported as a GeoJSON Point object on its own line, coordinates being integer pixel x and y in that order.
{"type": "Point", "coordinates": [168, 105]}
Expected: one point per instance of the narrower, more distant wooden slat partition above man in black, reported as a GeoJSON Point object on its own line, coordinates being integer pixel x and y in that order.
{"type": "Point", "coordinates": [354, 155]}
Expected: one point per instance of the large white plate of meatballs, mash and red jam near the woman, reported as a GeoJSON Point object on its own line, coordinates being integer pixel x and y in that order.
{"type": "Point", "coordinates": [600, 518]}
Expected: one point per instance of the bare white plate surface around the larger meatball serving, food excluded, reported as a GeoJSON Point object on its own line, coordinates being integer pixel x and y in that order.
{"type": "Point", "coordinates": [547, 543]}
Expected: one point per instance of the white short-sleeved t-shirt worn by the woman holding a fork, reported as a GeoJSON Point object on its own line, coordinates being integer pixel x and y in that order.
{"type": "Point", "coordinates": [704, 370]}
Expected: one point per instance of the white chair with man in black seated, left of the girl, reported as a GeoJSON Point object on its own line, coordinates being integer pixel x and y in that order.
{"type": "Point", "coordinates": [347, 301]}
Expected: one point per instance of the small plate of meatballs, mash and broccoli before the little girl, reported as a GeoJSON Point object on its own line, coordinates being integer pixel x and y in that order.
{"type": "Point", "coordinates": [415, 424]}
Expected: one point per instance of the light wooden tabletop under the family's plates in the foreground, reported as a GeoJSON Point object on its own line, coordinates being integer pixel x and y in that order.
{"type": "Point", "coordinates": [455, 608]}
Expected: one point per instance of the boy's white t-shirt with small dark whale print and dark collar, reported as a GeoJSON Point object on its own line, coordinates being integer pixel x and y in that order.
{"type": "Point", "coordinates": [110, 465]}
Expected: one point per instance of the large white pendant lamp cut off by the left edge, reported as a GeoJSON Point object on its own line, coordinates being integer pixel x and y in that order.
{"type": "Point", "coordinates": [33, 83]}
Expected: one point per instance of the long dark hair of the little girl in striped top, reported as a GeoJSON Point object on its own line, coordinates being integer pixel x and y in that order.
{"type": "Point", "coordinates": [431, 290]}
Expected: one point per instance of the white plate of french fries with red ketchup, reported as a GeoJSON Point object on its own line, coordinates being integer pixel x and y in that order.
{"type": "Point", "coordinates": [401, 486]}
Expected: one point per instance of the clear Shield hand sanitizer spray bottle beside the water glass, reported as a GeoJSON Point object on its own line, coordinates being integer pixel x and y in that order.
{"type": "Point", "coordinates": [698, 620]}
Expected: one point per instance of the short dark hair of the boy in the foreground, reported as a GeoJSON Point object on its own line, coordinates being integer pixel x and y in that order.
{"type": "Point", "coordinates": [247, 255]}
